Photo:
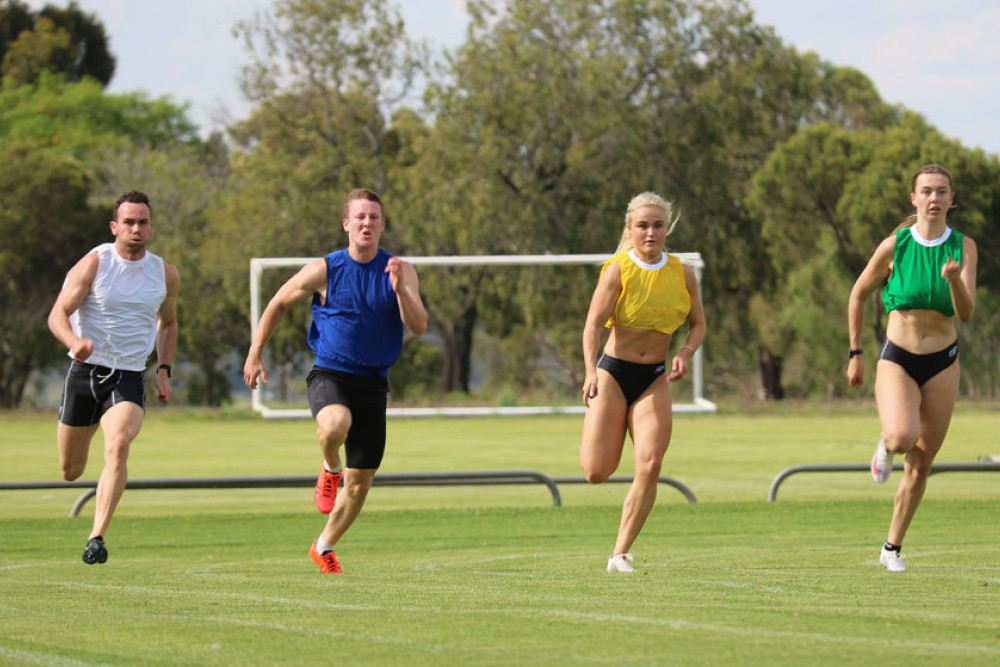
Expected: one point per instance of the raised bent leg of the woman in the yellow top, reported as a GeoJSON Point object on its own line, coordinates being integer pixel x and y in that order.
{"type": "Point", "coordinates": [604, 426]}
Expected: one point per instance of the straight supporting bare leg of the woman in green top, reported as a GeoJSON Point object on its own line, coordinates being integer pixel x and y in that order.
{"type": "Point", "coordinates": [937, 403]}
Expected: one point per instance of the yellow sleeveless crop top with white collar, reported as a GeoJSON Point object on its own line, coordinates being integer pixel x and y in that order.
{"type": "Point", "coordinates": [654, 296]}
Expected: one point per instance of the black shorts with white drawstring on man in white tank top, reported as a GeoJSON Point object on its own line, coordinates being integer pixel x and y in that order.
{"type": "Point", "coordinates": [90, 391]}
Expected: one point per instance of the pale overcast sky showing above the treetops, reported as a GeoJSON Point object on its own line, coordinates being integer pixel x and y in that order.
{"type": "Point", "coordinates": [937, 58]}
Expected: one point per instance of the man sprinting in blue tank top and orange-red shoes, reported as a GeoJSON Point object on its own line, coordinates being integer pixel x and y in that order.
{"type": "Point", "coordinates": [361, 299]}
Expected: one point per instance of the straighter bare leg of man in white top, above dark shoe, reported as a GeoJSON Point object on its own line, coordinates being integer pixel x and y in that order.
{"type": "Point", "coordinates": [120, 424]}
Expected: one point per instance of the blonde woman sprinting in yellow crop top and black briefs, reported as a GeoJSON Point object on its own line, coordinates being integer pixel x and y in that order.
{"type": "Point", "coordinates": [643, 296]}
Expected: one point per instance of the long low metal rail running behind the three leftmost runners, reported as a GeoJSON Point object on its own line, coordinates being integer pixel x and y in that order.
{"type": "Point", "coordinates": [474, 477]}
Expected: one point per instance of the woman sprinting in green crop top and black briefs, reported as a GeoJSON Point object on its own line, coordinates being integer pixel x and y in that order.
{"type": "Point", "coordinates": [916, 378]}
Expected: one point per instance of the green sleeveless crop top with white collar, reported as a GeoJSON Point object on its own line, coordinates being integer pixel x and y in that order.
{"type": "Point", "coordinates": [916, 282]}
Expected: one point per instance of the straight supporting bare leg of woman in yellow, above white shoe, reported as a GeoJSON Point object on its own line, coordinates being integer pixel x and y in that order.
{"type": "Point", "coordinates": [650, 423]}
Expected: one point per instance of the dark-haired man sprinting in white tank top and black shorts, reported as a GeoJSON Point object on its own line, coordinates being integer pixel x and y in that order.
{"type": "Point", "coordinates": [117, 303]}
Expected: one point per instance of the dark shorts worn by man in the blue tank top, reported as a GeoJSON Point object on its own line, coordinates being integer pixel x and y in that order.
{"type": "Point", "coordinates": [366, 398]}
